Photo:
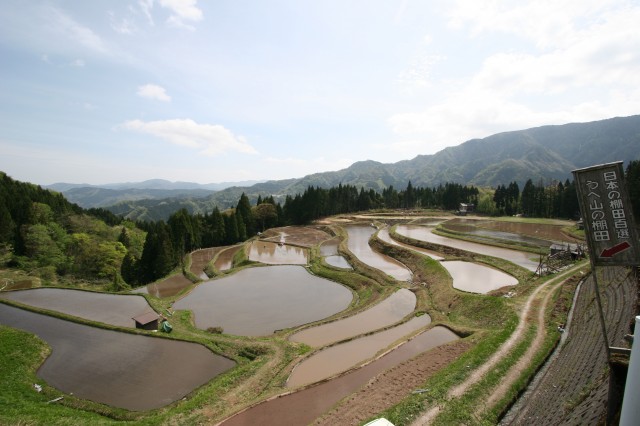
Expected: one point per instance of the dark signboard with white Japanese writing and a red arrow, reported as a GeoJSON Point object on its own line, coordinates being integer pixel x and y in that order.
{"type": "Point", "coordinates": [606, 212]}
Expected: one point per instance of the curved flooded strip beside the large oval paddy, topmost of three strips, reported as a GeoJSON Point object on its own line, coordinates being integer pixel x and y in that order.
{"type": "Point", "coordinates": [389, 311]}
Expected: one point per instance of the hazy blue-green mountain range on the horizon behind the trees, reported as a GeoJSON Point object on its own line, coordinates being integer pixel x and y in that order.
{"type": "Point", "coordinates": [544, 153]}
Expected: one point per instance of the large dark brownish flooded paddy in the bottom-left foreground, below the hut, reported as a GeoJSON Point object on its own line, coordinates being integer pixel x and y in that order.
{"type": "Point", "coordinates": [124, 370]}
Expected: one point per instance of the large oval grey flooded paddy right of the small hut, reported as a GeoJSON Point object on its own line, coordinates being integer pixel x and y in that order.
{"type": "Point", "coordinates": [258, 301]}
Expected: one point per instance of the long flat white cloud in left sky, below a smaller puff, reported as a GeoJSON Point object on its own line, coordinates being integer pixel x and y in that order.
{"type": "Point", "coordinates": [209, 139]}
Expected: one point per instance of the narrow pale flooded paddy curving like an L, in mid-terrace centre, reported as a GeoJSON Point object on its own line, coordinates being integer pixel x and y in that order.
{"type": "Point", "coordinates": [358, 244]}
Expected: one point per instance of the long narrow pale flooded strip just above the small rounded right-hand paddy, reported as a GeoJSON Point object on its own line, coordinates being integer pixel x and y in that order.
{"type": "Point", "coordinates": [423, 233]}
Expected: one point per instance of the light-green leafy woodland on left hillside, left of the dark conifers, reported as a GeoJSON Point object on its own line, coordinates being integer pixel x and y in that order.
{"type": "Point", "coordinates": [41, 231]}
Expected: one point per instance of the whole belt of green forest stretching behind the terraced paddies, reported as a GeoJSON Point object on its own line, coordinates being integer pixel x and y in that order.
{"type": "Point", "coordinates": [40, 230]}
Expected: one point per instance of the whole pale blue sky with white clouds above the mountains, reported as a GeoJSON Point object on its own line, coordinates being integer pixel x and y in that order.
{"type": "Point", "coordinates": [107, 91]}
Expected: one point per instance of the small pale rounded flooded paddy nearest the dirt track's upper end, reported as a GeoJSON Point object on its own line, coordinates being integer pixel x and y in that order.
{"type": "Point", "coordinates": [475, 278]}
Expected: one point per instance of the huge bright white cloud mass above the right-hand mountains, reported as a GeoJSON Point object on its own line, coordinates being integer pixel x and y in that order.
{"type": "Point", "coordinates": [580, 61]}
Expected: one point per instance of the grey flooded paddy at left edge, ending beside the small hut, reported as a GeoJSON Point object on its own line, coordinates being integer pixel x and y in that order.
{"type": "Point", "coordinates": [114, 309]}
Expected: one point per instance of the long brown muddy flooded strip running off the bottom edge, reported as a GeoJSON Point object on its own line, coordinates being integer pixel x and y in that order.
{"type": "Point", "coordinates": [304, 406]}
